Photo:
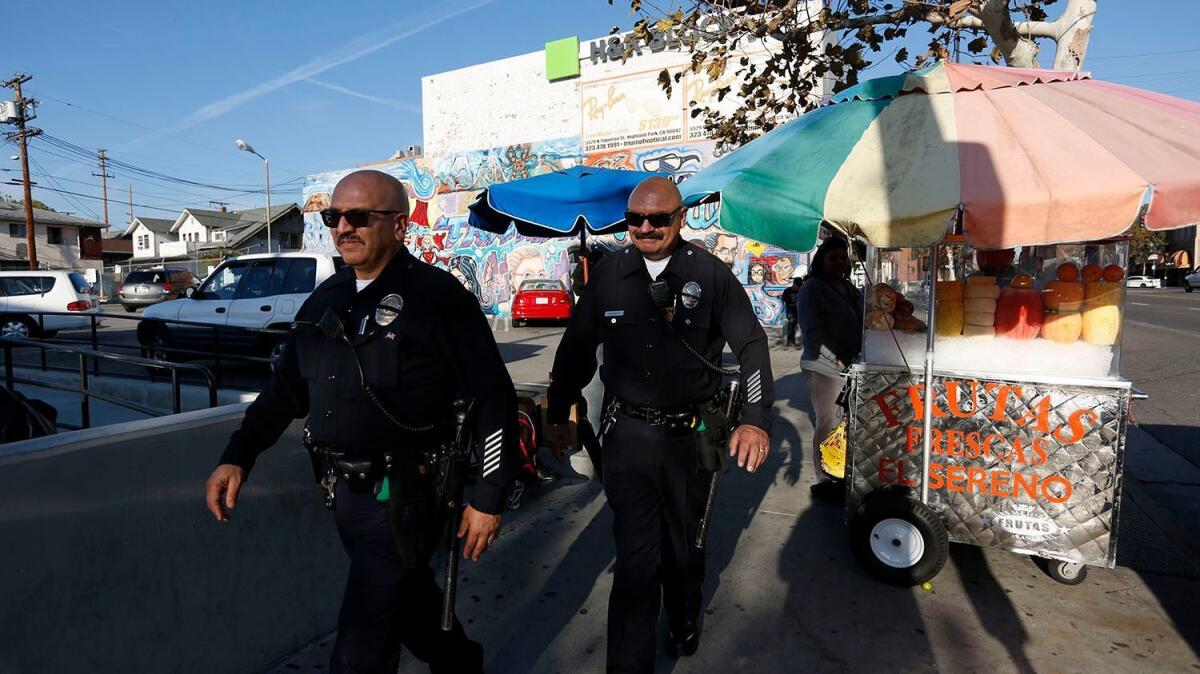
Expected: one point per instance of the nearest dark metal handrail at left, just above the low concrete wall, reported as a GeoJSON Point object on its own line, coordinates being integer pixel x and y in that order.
{"type": "Point", "coordinates": [88, 394]}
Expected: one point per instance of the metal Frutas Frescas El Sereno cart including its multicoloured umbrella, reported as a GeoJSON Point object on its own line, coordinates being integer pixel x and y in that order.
{"type": "Point", "coordinates": [988, 407]}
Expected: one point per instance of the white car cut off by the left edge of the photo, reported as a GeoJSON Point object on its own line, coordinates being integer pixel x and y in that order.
{"type": "Point", "coordinates": [25, 294]}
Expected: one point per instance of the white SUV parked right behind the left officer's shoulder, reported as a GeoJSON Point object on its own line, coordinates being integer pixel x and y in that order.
{"type": "Point", "coordinates": [251, 292]}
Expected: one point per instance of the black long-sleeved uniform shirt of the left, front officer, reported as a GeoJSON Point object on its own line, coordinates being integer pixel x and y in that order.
{"type": "Point", "coordinates": [437, 348]}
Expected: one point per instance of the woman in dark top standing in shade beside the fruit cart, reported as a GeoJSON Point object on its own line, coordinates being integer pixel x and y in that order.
{"type": "Point", "coordinates": [831, 320]}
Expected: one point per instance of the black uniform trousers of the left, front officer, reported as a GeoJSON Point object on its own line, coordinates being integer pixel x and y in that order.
{"type": "Point", "coordinates": [386, 606]}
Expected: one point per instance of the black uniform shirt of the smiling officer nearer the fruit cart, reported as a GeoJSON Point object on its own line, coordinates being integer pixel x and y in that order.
{"type": "Point", "coordinates": [644, 363]}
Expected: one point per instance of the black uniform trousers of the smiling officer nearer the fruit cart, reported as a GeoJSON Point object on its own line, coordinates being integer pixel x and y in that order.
{"type": "Point", "coordinates": [658, 498]}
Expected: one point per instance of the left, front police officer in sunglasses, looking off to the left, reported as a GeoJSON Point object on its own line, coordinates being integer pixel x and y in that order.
{"type": "Point", "coordinates": [377, 400]}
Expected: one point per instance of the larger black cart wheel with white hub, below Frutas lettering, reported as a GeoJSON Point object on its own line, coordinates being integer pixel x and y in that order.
{"type": "Point", "coordinates": [898, 540]}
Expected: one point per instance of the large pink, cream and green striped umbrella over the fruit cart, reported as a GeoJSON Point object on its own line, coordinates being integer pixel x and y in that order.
{"type": "Point", "coordinates": [1034, 158]}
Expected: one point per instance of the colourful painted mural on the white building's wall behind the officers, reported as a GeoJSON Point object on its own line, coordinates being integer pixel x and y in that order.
{"type": "Point", "coordinates": [494, 267]}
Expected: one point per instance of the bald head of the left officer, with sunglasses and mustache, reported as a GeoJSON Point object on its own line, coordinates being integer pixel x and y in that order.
{"type": "Point", "coordinates": [370, 248]}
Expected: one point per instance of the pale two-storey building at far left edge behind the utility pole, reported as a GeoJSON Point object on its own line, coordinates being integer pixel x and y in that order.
{"type": "Point", "coordinates": [62, 240]}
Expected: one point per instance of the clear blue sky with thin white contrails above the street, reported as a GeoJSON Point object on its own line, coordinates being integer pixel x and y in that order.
{"type": "Point", "coordinates": [169, 87]}
